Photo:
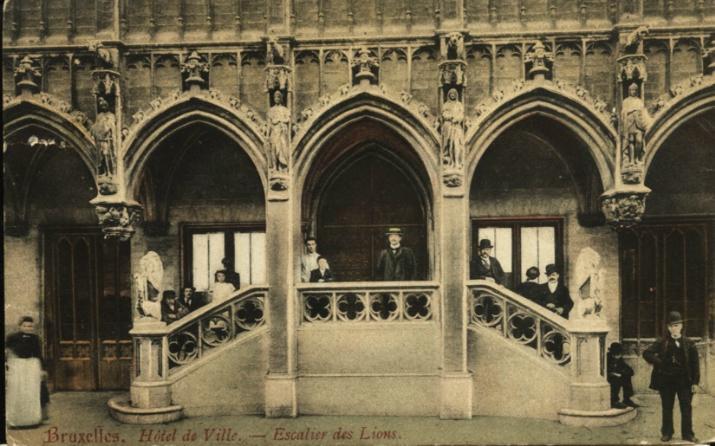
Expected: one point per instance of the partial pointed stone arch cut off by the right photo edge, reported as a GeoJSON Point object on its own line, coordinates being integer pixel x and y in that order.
{"type": "Point", "coordinates": [693, 98]}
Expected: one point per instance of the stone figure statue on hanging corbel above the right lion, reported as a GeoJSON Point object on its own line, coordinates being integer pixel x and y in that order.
{"type": "Point", "coordinates": [634, 121]}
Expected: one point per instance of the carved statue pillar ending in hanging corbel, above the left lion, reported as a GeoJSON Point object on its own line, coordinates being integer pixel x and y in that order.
{"type": "Point", "coordinates": [116, 212]}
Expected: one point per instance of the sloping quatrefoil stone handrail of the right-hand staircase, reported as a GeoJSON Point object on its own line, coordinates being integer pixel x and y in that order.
{"type": "Point", "coordinates": [520, 320]}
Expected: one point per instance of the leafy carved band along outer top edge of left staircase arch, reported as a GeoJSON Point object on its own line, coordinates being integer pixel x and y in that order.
{"type": "Point", "coordinates": [159, 105]}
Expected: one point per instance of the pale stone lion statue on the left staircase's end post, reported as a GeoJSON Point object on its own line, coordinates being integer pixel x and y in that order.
{"type": "Point", "coordinates": [149, 286]}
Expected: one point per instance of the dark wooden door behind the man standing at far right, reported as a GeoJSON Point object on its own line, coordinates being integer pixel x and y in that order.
{"type": "Point", "coordinates": [663, 268]}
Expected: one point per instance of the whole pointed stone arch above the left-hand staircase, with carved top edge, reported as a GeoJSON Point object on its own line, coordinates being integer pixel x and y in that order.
{"type": "Point", "coordinates": [166, 116]}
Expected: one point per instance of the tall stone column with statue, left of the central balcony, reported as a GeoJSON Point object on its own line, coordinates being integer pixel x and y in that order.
{"type": "Point", "coordinates": [280, 384]}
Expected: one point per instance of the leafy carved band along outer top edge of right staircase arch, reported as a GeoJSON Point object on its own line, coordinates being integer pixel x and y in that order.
{"type": "Point", "coordinates": [517, 88]}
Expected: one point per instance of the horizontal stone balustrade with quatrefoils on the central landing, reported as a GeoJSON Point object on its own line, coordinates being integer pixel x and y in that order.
{"type": "Point", "coordinates": [368, 302]}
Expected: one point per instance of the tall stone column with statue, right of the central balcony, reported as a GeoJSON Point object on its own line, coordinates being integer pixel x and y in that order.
{"type": "Point", "coordinates": [456, 381]}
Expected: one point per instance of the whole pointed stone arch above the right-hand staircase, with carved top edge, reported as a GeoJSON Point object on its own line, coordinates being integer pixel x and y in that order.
{"type": "Point", "coordinates": [570, 106]}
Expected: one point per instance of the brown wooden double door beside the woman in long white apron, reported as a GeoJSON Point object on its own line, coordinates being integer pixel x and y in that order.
{"type": "Point", "coordinates": [87, 310]}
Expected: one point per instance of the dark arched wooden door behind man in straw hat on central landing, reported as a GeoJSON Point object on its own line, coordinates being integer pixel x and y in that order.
{"type": "Point", "coordinates": [366, 198]}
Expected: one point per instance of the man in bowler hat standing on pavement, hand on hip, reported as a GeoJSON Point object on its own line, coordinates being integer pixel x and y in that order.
{"type": "Point", "coordinates": [676, 371]}
